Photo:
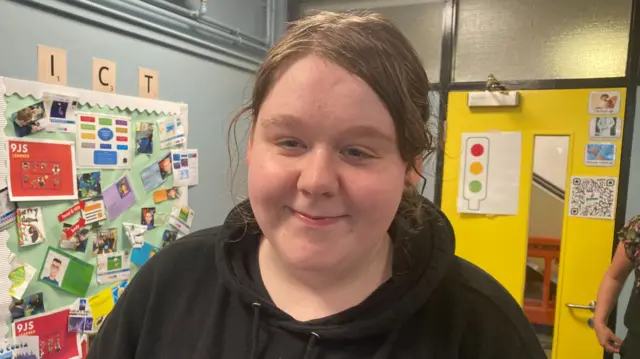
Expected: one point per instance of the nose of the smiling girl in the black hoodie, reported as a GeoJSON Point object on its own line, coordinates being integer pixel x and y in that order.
{"type": "Point", "coordinates": [318, 175]}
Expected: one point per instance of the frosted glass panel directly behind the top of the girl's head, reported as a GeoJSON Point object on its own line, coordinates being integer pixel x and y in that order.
{"type": "Point", "coordinates": [420, 23]}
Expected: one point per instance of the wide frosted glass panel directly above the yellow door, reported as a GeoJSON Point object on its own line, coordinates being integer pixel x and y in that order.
{"type": "Point", "coordinates": [543, 39]}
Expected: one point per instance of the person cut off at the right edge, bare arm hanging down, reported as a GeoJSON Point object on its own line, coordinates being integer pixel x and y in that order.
{"type": "Point", "coordinates": [626, 259]}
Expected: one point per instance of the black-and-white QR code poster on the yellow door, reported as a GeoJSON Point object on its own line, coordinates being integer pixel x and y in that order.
{"type": "Point", "coordinates": [593, 197]}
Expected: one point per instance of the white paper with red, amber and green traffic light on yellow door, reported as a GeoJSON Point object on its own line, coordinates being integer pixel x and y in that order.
{"type": "Point", "coordinates": [490, 173]}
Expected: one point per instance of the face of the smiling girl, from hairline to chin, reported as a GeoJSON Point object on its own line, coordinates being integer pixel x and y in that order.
{"type": "Point", "coordinates": [325, 175]}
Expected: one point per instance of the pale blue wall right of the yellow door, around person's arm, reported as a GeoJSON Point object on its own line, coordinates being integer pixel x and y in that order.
{"type": "Point", "coordinates": [633, 208]}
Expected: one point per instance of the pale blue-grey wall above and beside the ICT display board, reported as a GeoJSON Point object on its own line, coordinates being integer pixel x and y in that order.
{"type": "Point", "coordinates": [187, 73]}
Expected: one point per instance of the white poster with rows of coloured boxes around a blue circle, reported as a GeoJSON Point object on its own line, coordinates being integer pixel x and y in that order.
{"type": "Point", "coordinates": [103, 141]}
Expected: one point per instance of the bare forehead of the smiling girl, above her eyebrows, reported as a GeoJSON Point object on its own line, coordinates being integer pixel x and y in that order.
{"type": "Point", "coordinates": [322, 93]}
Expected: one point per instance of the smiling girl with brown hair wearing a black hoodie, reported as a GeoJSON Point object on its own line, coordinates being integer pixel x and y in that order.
{"type": "Point", "coordinates": [334, 254]}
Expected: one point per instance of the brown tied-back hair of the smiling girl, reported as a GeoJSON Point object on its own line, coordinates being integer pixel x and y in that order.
{"type": "Point", "coordinates": [372, 48]}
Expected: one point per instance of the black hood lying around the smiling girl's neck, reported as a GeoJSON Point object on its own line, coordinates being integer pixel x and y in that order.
{"type": "Point", "coordinates": [421, 257]}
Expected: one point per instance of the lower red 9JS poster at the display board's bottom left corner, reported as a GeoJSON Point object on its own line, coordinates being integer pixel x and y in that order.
{"type": "Point", "coordinates": [51, 328]}
